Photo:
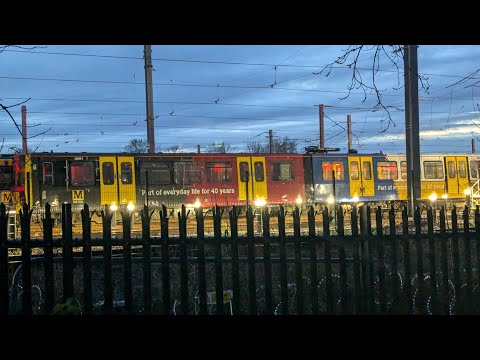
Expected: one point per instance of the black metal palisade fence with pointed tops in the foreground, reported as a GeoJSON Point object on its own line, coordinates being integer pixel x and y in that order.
{"type": "Point", "coordinates": [389, 271]}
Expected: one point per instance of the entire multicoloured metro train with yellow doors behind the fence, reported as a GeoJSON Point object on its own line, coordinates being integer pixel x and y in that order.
{"type": "Point", "coordinates": [128, 181]}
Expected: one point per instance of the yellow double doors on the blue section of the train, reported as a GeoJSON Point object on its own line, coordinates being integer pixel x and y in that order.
{"type": "Point", "coordinates": [361, 176]}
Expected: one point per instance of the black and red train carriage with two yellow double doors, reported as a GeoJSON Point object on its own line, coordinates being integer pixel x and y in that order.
{"type": "Point", "coordinates": [128, 181]}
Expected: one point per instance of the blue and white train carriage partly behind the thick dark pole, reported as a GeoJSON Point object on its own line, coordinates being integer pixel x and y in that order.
{"type": "Point", "coordinates": [379, 177]}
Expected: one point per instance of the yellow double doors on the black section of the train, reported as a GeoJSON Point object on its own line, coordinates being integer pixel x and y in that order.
{"type": "Point", "coordinates": [117, 180]}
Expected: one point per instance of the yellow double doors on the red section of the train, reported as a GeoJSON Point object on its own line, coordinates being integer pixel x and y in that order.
{"type": "Point", "coordinates": [255, 167]}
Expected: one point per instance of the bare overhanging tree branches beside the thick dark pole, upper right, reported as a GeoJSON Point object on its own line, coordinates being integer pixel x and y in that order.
{"type": "Point", "coordinates": [368, 84]}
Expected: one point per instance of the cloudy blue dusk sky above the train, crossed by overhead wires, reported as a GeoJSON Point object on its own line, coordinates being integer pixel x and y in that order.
{"type": "Point", "coordinates": [92, 98]}
